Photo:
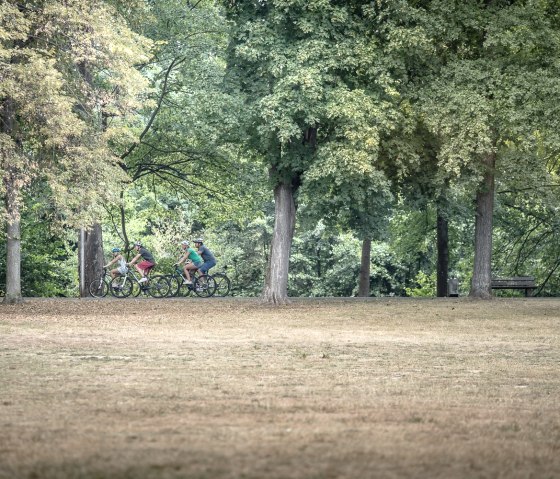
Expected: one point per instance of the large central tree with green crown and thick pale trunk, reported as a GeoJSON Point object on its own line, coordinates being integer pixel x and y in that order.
{"type": "Point", "coordinates": [318, 92]}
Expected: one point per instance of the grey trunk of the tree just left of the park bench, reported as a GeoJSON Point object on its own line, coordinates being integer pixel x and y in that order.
{"type": "Point", "coordinates": [482, 270]}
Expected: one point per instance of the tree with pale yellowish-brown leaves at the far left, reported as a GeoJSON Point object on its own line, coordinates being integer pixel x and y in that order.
{"type": "Point", "coordinates": [50, 113]}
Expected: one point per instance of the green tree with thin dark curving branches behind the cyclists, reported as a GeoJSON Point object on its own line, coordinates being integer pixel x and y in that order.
{"type": "Point", "coordinates": [183, 144]}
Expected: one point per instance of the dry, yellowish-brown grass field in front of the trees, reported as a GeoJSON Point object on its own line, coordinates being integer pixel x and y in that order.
{"type": "Point", "coordinates": [193, 388]}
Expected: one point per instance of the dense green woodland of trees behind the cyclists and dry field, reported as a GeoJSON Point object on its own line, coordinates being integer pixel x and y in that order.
{"type": "Point", "coordinates": [403, 142]}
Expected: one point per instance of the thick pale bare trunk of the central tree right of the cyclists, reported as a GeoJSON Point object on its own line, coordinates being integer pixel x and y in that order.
{"type": "Point", "coordinates": [276, 283]}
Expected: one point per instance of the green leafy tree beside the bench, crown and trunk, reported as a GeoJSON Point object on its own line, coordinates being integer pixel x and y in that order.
{"type": "Point", "coordinates": [487, 97]}
